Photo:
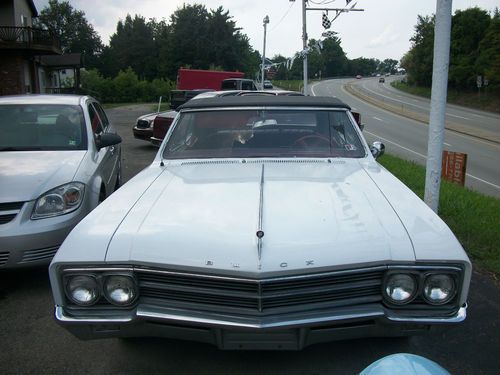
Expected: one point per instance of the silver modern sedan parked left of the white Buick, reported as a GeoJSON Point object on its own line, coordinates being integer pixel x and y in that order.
{"type": "Point", "coordinates": [59, 158]}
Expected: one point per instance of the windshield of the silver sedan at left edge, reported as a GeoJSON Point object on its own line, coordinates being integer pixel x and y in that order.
{"type": "Point", "coordinates": [29, 127]}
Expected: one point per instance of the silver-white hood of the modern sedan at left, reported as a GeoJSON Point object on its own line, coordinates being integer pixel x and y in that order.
{"type": "Point", "coordinates": [25, 175]}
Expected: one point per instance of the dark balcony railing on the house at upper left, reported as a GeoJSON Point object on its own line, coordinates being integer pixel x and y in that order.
{"type": "Point", "coordinates": [28, 38]}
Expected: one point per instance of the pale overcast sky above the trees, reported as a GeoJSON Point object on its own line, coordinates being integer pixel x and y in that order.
{"type": "Point", "coordinates": [382, 30]}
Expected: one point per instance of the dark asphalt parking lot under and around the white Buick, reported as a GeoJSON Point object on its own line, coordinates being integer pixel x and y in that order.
{"type": "Point", "coordinates": [32, 343]}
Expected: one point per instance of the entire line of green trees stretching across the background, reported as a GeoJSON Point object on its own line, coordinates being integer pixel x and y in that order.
{"type": "Point", "coordinates": [148, 53]}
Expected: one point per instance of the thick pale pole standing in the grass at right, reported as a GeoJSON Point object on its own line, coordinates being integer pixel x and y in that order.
{"type": "Point", "coordinates": [440, 63]}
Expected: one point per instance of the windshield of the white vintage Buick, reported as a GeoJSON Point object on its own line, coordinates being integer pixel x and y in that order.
{"type": "Point", "coordinates": [264, 133]}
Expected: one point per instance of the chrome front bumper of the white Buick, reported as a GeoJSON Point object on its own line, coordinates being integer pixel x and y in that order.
{"type": "Point", "coordinates": [291, 332]}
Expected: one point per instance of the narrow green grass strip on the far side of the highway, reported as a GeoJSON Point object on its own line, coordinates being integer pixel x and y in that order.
{"type": "Point", "coordinates": [486, 101]}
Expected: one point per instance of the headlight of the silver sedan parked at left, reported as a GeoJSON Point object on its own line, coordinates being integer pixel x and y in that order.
{"type": "Point", "coordinates": [59, 201]}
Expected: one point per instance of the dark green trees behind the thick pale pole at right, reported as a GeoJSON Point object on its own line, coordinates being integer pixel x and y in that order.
{"type": "Point", "coordinates": [474, 50]}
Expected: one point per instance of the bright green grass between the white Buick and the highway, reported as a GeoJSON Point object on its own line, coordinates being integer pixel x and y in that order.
{"type": "Point", "coordinates": [473, 217]}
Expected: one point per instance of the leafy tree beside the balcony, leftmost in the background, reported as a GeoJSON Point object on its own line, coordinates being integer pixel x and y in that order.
{"type": "Point", "coordinates": [72, 29]}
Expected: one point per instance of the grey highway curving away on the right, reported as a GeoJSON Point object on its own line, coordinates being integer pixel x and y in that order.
{"type": "Point", "coordinates": [408, 138]}
